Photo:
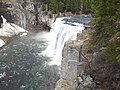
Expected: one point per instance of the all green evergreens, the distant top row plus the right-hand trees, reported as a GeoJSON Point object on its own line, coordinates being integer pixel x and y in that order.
{"type": "Point", "coordinates": [106, 14]}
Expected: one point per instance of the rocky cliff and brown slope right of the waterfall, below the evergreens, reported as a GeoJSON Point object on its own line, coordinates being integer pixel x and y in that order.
{"type": "Point", "coordinates": [86, 69]}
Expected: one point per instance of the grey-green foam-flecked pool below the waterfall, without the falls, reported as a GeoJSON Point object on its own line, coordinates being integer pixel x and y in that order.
{"type": "Point", "coordinates": [22, 67]}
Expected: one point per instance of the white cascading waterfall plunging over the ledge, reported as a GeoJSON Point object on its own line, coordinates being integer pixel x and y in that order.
{"type": "Point", "coordinates": [60, 33]}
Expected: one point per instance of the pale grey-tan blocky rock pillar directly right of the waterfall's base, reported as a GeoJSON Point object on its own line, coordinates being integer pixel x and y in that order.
{"type": "Point", "coordinates": [69, 66]}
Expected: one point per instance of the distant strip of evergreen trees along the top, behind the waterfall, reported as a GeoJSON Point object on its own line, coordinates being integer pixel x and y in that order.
{"type": "Point", "coordinates": [67, 6]}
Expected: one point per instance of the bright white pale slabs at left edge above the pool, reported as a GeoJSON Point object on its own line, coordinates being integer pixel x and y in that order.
{"type": "Point", "coordinates": [9, 30]}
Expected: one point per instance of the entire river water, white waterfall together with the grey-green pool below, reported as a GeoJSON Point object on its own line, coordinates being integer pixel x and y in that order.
{"type": "Point", "coordinates": [21, 60]}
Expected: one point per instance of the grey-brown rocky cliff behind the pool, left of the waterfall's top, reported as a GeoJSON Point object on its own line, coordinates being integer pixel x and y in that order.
{"type": "Point", "coordinates": [24, 14]}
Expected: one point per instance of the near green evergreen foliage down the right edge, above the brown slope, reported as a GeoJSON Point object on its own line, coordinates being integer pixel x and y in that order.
{"type": "Point", "coordinates": [107, 33]}
